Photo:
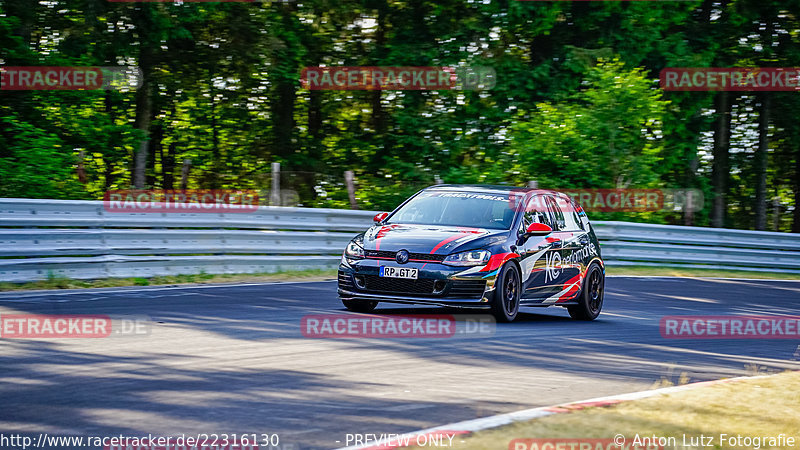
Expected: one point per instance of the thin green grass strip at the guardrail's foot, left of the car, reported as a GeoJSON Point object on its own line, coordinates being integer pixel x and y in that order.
{"type": "Point", "coordinates": [203, 278]}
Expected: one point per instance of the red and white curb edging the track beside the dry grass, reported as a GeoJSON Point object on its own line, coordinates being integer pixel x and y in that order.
{"type": "Point", "coordinates": [393, 441]}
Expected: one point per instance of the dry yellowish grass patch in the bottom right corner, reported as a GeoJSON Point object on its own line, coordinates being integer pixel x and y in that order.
{"type": "Point", "coordinates": [756, 407]}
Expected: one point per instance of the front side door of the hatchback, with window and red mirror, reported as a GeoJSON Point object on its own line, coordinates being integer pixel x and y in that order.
{"type": "Point", "coordinates": [538, 252]}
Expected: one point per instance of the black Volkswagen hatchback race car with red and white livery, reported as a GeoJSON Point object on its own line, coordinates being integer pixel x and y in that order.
{"type": "Point", "coordinates": [486, 247]}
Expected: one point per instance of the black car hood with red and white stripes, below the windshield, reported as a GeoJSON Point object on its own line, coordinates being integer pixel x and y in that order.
{"type": "Point", "coordinates": [433, 239]}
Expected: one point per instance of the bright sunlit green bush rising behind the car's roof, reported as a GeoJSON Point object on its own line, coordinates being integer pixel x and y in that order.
{"type": "Point", "coordinates": [608, 134]}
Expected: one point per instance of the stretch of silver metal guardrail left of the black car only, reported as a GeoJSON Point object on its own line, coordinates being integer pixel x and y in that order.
{"type": "Point", "coordinates": [79, 239]}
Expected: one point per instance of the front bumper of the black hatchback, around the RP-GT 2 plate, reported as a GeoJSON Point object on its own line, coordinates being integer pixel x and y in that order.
{"type": "Point", "coordinates": [437, 284]}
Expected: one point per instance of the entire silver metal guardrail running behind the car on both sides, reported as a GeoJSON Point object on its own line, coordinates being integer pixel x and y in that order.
{"type": "Point", "coordinates": [79, 239]}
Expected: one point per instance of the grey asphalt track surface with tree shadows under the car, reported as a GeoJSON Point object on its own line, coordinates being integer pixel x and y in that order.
{"type": "Point", "coordinates": [232, 359]}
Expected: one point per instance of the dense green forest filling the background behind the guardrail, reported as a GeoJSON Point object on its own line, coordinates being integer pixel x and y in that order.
{"type": "Point", "coordinates": [575, 104]}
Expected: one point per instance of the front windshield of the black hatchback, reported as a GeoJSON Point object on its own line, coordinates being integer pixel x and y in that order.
{"type": "Point", "coordinates": [452, 208]}
